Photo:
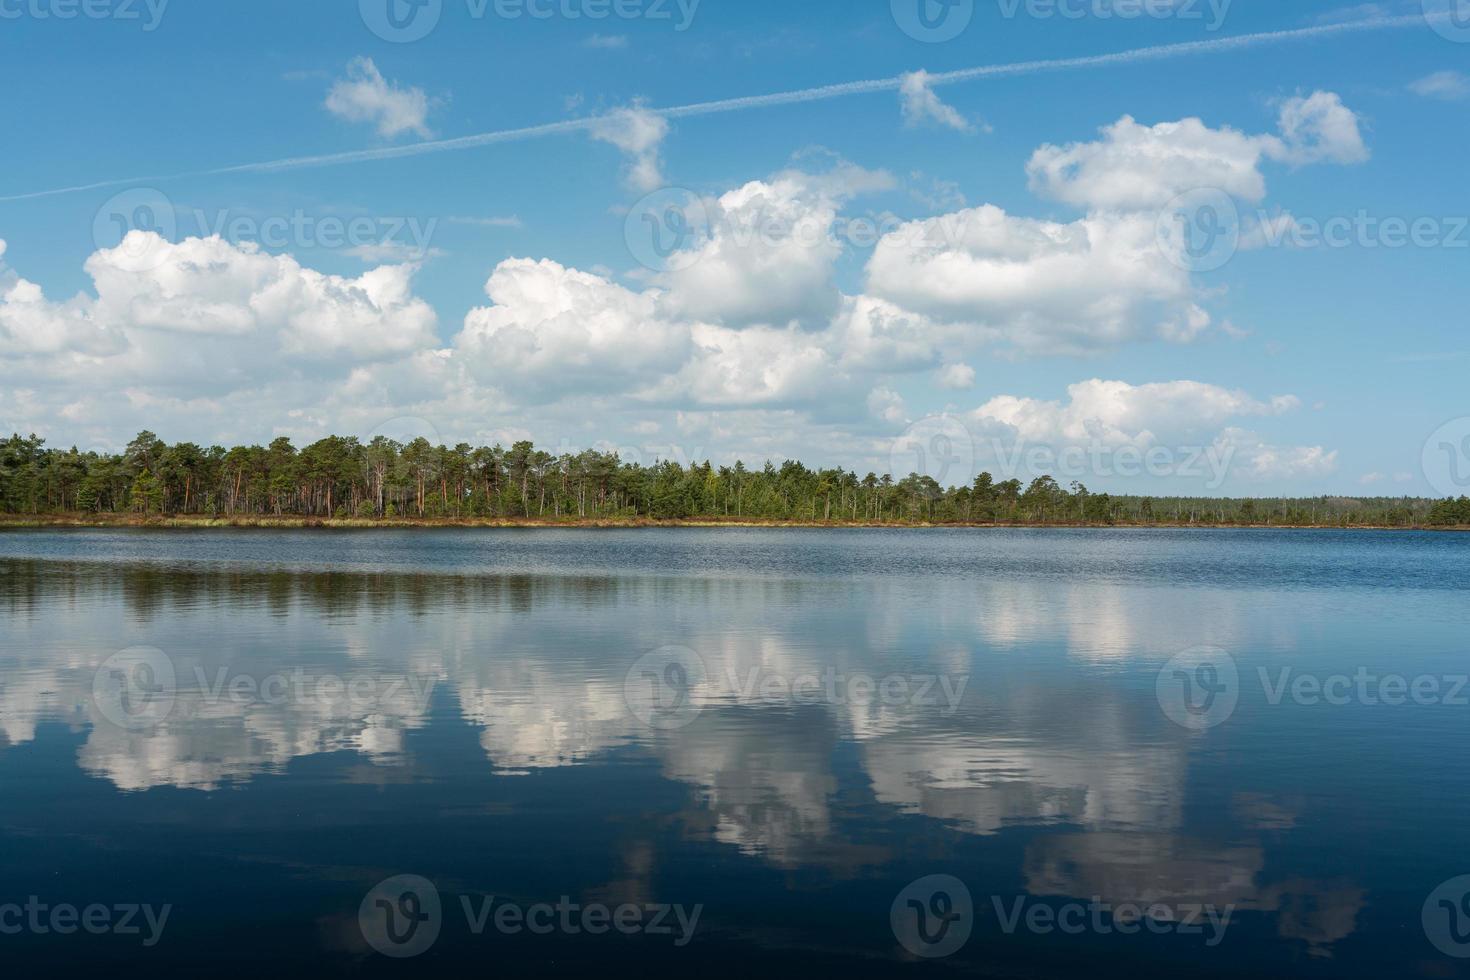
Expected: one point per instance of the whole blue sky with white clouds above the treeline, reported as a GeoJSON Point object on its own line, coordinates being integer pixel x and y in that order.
{"type": "Point", "coordinates": [1041, 308]}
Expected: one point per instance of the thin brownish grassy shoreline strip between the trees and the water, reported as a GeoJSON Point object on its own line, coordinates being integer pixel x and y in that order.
{"type": "Point", "coordinates": [199, 522]}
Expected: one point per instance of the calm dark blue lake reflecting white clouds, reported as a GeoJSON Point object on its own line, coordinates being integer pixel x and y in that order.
{"type": "Point", "coordinates": [836, 753]}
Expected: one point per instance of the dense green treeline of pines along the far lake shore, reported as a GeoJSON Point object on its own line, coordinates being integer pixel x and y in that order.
{"type": "Point", "coordinates": [384, 480]}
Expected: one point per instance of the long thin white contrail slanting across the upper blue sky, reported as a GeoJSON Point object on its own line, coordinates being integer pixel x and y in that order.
{"type": "Point", "coordinates": [775, 99]}
